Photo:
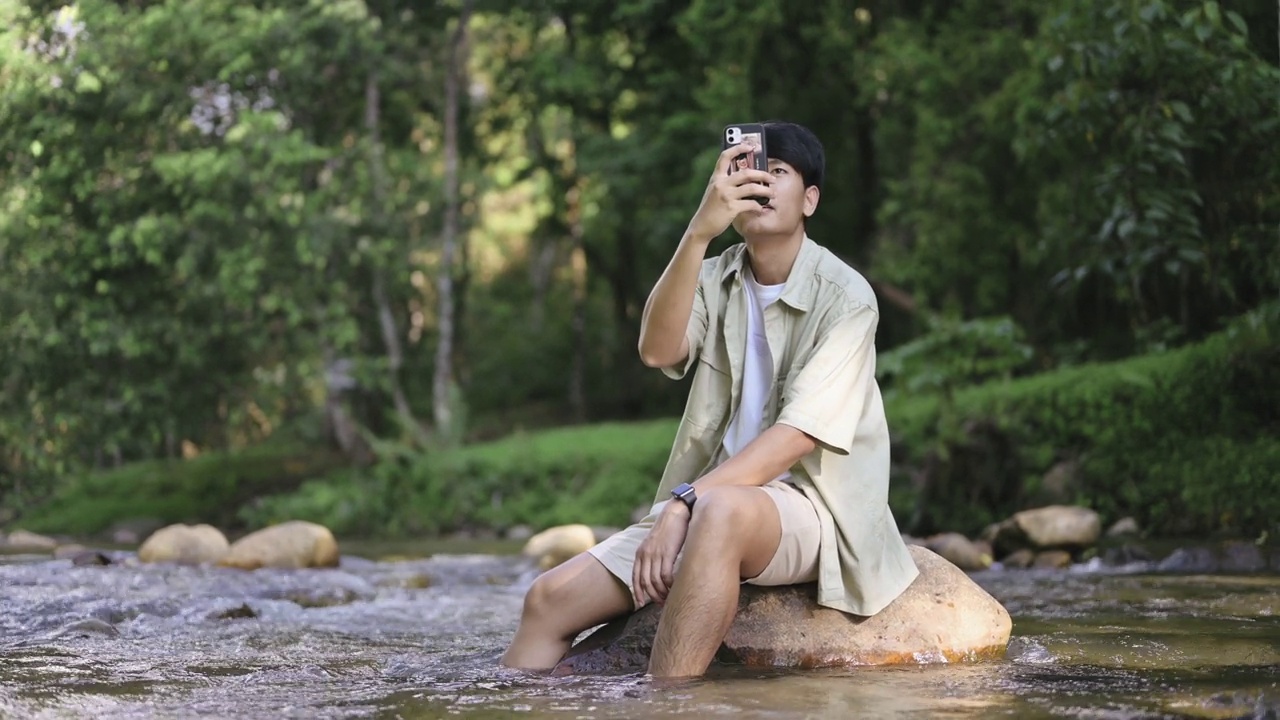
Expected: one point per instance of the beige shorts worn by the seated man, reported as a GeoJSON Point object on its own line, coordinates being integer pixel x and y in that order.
{"type": "Point", "coordinates": [796, 562]}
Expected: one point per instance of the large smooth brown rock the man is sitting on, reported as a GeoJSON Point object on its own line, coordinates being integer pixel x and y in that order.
{"type": "Point", "coordinates": [944, 617]}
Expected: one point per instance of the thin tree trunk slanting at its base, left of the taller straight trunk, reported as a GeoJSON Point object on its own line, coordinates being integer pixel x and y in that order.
{"type": "Point", "coordinates": [386, 317]}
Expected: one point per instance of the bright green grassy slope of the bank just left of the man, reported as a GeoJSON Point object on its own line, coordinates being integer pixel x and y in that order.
{"type": "Point", "coordinates": [593, 475]}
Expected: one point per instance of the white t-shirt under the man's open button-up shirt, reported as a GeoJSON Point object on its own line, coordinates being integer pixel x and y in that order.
{"type": "Point", "coordinates": [757, 371]}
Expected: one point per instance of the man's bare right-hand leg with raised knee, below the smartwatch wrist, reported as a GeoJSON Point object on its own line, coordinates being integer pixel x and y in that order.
{"type": "Point", "coordinates": [733, 535]}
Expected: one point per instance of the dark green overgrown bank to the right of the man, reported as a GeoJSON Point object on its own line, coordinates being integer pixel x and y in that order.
{"type": "Point", "coordinates": [1155, 438]}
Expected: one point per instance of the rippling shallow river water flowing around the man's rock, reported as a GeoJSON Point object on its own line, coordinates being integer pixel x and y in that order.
{"type": "Point", "coordinates": [408, 639]}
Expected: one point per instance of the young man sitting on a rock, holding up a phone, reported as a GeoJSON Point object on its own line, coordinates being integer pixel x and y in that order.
{"type": "Point", "coordinates": [780, 468]}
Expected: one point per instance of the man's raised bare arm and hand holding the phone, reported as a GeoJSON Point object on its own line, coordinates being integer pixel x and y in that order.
{"type": "Point", "coordinates": [665, 325]}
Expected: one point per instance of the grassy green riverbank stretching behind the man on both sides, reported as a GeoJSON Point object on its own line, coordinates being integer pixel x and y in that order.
{"type": "Point", "coordinates": [1185, 441]}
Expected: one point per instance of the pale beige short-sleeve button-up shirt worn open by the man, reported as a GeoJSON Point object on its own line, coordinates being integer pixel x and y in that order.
{"type": "Point", "coordinates": [822, 335]}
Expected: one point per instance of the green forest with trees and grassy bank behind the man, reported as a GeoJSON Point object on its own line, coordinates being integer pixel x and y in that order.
{"type": "Point", "coordinates": [381, 265]}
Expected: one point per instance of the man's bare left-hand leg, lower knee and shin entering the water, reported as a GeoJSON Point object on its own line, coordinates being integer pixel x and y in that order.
{"type": "Point", "coordinates": [561, 604]}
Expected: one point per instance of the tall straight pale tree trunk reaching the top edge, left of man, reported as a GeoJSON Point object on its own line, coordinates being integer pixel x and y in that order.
{"type": "Point", "coordinates": [442, 381]}
